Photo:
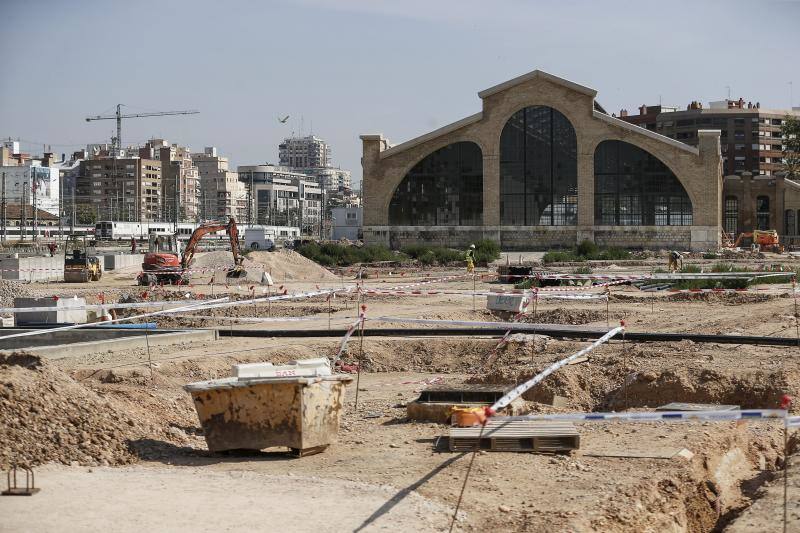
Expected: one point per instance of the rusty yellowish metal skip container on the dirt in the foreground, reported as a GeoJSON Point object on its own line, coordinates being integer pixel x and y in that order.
{"type": "Point", "coordinates": [301, 413]}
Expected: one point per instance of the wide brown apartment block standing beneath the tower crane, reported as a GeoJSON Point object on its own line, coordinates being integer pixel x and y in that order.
{"type": "Point", "coordinates": [126, 189]}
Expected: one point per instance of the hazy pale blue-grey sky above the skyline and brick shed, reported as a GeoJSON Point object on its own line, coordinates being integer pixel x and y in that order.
{"type": "Point", "coordinates": [344, 68]}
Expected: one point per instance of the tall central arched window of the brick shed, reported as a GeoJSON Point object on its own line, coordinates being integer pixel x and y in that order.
{"type": "Point", "coordinates": [538, 169]}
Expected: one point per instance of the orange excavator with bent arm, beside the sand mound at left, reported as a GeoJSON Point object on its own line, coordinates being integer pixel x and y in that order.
{"type": "Point", "coordinates": [163, 265]}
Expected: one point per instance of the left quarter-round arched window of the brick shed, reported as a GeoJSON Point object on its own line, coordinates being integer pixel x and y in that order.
{"type": "Point", "coordinates": [444, 189]}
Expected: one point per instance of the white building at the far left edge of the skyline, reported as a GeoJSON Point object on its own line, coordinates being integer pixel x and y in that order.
{"type": "Point", "coordinates": [31, 184]}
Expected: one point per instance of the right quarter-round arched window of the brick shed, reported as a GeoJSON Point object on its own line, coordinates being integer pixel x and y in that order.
{"type": "Point", "coordinates": [633, 188]}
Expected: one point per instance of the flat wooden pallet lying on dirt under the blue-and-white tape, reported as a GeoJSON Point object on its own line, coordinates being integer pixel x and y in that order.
{"type": "Point", "coordinates": [516, 436]}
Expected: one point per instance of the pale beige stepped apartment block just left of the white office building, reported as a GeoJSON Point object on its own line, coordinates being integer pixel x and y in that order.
{"type": "Point", "coordinates": [222, 195]}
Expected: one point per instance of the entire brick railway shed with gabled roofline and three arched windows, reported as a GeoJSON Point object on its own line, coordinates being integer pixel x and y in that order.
{"type": "Point", "coordinates": [543, 165]}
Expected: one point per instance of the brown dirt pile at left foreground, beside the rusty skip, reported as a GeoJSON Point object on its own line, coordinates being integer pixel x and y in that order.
{"type": "Point", "coordinates": [46, 416]}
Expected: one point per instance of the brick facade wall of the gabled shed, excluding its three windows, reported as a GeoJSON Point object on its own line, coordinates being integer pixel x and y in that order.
{"type": "Point", "coordinates": [698, 169]}
